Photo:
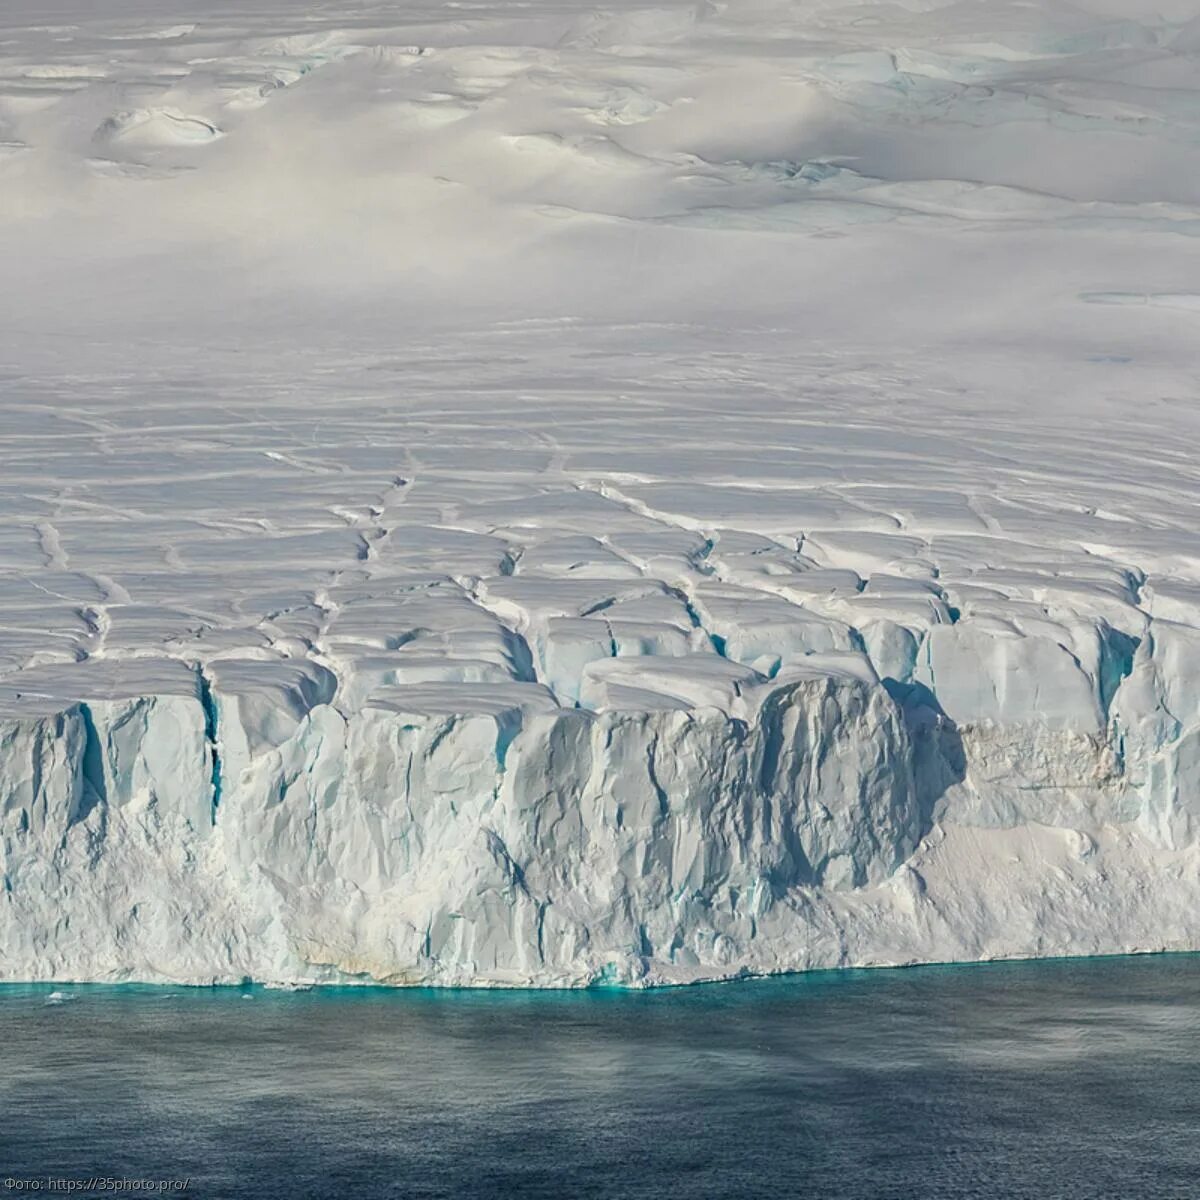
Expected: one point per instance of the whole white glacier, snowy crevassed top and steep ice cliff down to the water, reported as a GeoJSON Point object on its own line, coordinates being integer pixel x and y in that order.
{"type": "Point", "coordinates": [537, 494]}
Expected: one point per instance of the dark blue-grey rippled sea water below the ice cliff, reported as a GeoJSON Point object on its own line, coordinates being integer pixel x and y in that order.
{"type": "Point", "coordinates": [1037, 1081]}
